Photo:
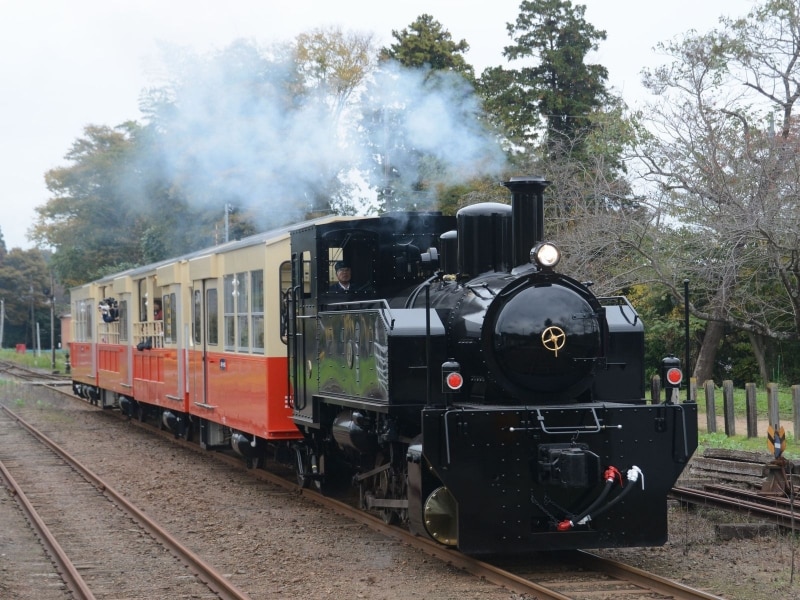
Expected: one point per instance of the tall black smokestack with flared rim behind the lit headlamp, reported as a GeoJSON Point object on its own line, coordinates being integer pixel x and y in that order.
{"type": "Point", "coordinates": [527, 215]}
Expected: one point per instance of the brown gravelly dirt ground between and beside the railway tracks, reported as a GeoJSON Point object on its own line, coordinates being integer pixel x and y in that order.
{"type": "Point", "coordinates": [275, 545]}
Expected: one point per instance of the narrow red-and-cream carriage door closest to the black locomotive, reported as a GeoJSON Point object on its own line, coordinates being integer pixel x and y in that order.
{"type": "Point", "coordinates": [205, 337]}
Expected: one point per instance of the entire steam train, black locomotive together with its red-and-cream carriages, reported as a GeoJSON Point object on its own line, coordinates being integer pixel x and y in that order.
{"type": "Point", "coordinates": [461, 383]}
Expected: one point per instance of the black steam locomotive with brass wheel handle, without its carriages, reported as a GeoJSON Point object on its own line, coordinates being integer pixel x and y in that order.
{"type": "Point", "coordinates": [471, 389]}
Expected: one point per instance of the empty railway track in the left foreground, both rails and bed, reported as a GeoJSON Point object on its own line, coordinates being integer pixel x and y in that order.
{"type": "Point", "coordinates": [67, 517]}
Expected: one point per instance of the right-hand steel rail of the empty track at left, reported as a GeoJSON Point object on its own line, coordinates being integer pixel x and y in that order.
{"type": "Point", "coordinates": [210, 576]}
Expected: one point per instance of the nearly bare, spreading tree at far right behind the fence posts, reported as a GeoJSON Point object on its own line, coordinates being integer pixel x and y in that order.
{"type": "Point", "coordinates": [726, 176]}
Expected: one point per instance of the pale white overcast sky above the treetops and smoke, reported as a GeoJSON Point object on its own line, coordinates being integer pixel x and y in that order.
{"type": "Point", "coordinates": [70, 63]}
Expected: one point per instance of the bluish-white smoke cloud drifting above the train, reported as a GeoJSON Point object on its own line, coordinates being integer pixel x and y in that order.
{"type": "Point", "coordinates": [239, 132]}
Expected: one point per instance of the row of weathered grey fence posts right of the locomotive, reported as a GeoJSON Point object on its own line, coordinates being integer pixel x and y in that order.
{"type": "Point", "coordinates": [751, 413]}
